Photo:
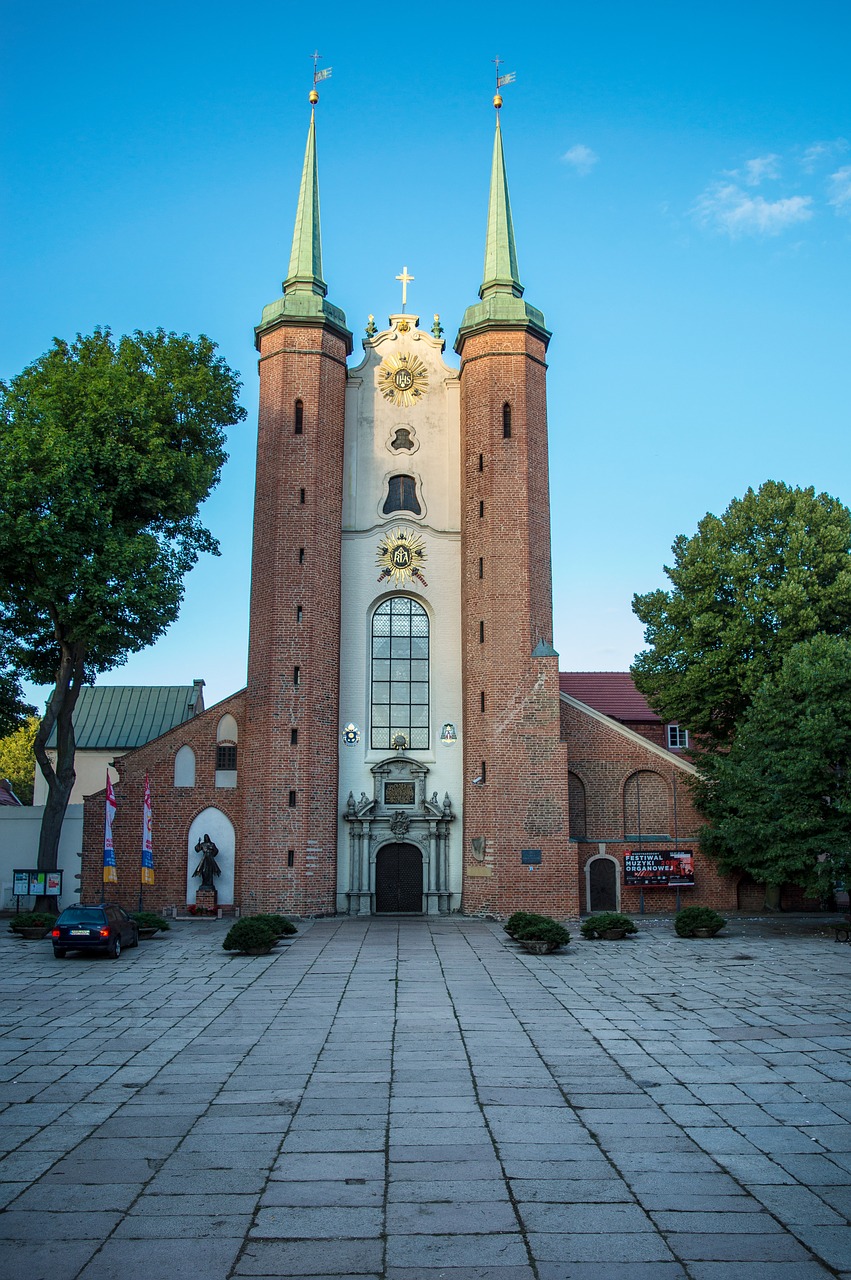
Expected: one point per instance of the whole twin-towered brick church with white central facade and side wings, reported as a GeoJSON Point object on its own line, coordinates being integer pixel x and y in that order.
{"type": "Point", "coordinates": [402, 743]}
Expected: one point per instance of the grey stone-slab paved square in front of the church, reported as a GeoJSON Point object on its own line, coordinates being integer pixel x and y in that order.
{"type": "Point", "coordinates": [413, 1100]}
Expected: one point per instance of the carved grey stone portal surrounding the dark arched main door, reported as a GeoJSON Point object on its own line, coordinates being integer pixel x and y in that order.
{"type": "Point", "coordinates": [399, 843]}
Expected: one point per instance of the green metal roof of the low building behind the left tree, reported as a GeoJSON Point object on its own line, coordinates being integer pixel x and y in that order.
{"type": "Point", "coordinates": [120, 717]}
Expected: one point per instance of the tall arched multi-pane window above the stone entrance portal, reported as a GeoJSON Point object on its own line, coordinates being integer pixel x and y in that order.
{"type": "Point", "coordinates": [400, 675]}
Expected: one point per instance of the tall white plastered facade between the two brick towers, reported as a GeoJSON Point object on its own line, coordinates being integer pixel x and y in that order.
{"type": "Point", "coordinates": [376, 413]}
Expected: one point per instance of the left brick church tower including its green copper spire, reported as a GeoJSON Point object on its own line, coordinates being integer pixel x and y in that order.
{"type": "Point", "coordinates": [292, 707]}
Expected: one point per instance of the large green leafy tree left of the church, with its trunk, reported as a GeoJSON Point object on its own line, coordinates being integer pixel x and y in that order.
{"type": "Point", "coordinates": [107, 451]}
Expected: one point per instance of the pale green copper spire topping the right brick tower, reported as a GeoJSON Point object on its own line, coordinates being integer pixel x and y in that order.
{"type": "Point", "coordinates": [502, 307]}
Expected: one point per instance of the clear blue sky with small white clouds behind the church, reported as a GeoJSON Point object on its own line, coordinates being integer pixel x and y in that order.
{"type": "Point", "coordinates": [681, 188]}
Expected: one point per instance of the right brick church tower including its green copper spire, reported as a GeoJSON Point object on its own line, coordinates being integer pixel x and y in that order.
{"type": "Point", "coordinates": [516, 775]}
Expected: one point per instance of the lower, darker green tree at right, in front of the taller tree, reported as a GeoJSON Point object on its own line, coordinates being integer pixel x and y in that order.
{"type": "Point", "coordinates": [780, 801]}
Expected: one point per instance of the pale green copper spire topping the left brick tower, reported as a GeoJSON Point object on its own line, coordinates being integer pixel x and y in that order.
{"type": "Point", "coordinates": [304, 301]}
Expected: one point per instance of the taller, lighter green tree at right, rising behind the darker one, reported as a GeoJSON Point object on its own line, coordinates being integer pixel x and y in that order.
{"type": "Point", "coordinates": [749, 586]}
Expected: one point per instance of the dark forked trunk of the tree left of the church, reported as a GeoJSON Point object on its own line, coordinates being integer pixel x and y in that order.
{"type": "Point", "coordinates": [61, 780]}
